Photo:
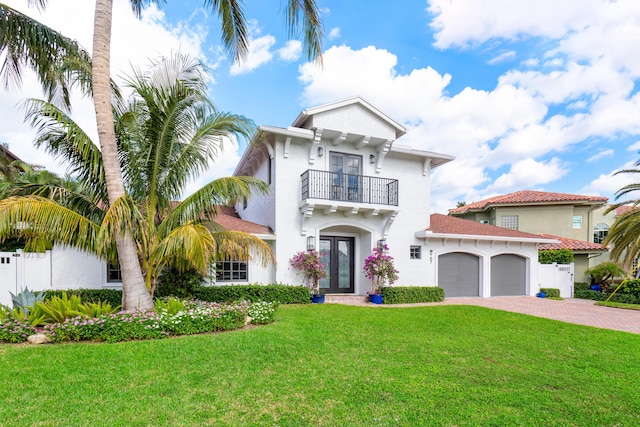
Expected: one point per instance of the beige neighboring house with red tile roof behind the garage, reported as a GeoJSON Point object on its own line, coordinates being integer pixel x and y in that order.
{"type": "Point", "coordinates": [575, 220]}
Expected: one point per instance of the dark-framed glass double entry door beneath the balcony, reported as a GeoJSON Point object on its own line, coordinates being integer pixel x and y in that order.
{"type": "Point", "coordinates": [337, 254]}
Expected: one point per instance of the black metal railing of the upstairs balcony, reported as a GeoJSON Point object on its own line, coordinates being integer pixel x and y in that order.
{"type": "Point", "coordinates": [349, 188]}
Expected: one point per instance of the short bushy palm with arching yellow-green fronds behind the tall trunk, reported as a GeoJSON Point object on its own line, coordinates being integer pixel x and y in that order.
{"type": "Point", "coordinates": [167, 134]}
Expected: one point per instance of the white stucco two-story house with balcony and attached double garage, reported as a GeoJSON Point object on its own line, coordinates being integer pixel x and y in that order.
{"type": "Point", "coordinates": [341, 181]}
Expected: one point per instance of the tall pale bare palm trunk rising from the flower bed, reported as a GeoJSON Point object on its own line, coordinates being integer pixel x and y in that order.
{"type": "Point", "coordinates": [134, 291]}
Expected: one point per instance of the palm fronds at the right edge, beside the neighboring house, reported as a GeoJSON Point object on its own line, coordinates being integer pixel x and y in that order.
{"type": "Point", "coordinates": [624, 234]}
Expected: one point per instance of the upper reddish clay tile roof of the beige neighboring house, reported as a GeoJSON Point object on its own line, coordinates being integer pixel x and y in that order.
{"type": "Point", "coordinates": [528, 197]}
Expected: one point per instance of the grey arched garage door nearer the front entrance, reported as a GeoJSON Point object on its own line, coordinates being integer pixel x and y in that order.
{"type": "Point", "coordinates": [459, 274]}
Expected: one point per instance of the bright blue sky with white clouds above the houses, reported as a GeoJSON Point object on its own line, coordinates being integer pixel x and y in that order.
{"type": "Point", "coordinates": [527, 95]}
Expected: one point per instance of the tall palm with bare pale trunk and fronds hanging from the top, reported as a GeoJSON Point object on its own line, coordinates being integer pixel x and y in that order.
{"type": "Point", "coordinates": [45, 52]}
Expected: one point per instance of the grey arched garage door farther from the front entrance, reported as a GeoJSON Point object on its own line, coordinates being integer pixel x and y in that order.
{"type": "Point", "coordinates": [508, 275]}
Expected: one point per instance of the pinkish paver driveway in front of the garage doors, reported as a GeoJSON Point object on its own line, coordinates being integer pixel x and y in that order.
{"type": "Point", "coordinates": [572, 310]}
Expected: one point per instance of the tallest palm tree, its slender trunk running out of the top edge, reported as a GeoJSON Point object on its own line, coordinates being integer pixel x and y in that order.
{"type": "Point", "coordinates": [234, 37]}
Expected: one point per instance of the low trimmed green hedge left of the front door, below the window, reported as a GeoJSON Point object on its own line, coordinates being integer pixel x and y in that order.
{"type": "Point", "coordinates": [283, 294]}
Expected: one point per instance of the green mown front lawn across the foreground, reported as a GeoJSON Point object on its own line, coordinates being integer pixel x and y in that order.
{"type": "Point", "coordinates": [337, 365]}
